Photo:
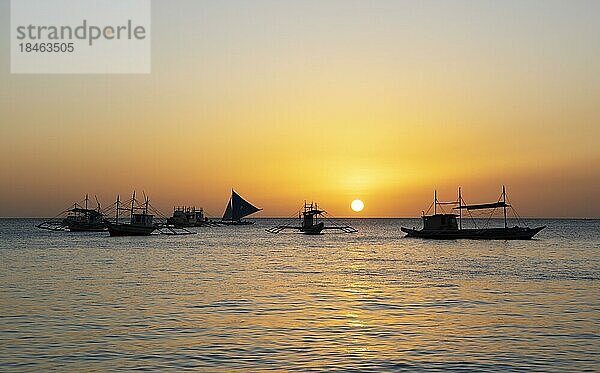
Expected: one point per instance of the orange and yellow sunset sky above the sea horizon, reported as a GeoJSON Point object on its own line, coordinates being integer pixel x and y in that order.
{"type": "Point", "coordinates": [287, 101]}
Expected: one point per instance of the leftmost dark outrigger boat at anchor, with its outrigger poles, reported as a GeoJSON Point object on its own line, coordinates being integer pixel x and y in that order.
{"type": "Point", "coordinates": [78, 219]}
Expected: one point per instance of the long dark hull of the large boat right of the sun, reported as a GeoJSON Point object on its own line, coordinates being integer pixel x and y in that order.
{"type": "Point", "coordinates": [513, 233]}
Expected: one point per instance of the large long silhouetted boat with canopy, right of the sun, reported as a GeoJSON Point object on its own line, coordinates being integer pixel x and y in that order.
{"type": "Point", "coordinates": [445, 226]}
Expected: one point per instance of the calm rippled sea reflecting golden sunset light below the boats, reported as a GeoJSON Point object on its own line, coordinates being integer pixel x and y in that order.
{"type": "Point", "coordinates": [241, 299]}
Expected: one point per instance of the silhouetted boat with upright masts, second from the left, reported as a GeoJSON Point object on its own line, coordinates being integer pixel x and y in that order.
{"type": "Point", "coordinates": [140, 221]}
